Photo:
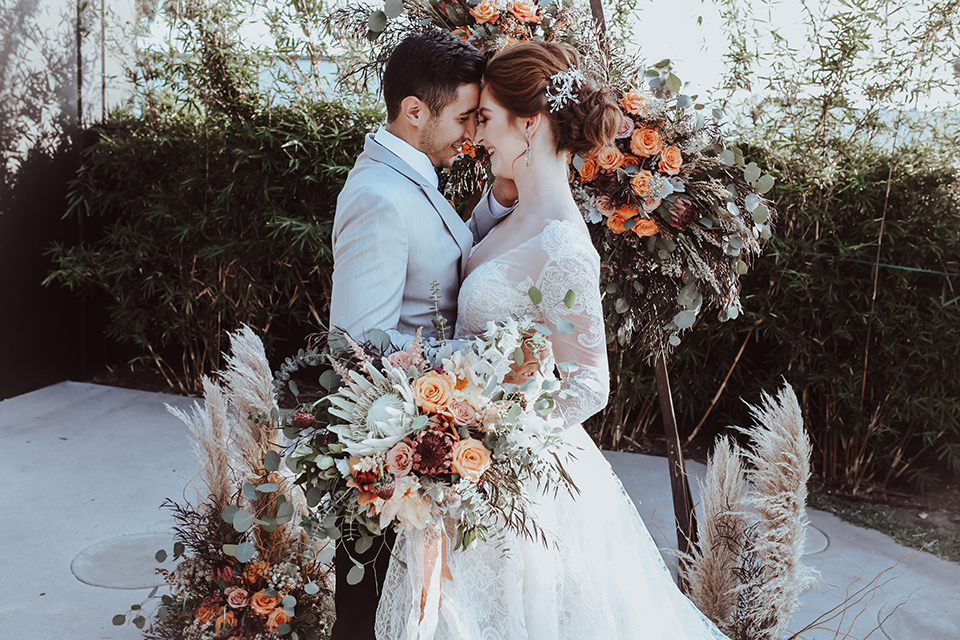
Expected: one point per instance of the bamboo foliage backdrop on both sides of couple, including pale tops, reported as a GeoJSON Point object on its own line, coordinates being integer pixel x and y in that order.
{"type": "Point", "coordinates": [215, 199]}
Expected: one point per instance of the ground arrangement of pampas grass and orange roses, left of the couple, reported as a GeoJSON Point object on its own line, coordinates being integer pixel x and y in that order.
{"type": "Point", "coordinates": [246, 570]}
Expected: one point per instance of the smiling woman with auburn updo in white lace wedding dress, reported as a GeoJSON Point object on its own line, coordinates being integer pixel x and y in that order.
{"type": "Point", "coordinates": [603, 578]}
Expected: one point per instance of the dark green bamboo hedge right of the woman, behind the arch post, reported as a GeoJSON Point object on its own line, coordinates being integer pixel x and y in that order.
{"type": "Point", "coordinates": [879, 379]}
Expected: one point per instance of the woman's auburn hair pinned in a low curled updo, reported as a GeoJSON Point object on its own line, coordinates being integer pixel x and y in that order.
{"type": "Point", "coordinates": [519, 77]}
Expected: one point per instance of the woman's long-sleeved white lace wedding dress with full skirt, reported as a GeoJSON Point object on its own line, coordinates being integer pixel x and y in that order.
{"type": "Point", "coordinates": [604, 578]}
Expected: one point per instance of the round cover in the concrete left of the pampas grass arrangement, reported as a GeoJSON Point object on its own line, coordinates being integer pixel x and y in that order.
{"type": "Point", "coordinates": [124, 562]}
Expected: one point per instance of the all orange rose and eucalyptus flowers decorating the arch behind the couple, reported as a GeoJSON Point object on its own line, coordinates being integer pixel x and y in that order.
{"type": "Point", "coordinates": [676, 214]}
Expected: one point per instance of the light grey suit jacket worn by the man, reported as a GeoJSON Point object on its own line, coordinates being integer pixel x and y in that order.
{"type": "Point", "coordinates": [394, 235]}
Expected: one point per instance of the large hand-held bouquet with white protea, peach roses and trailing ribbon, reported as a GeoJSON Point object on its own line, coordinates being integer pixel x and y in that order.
{"type": "Point", "coordinates": [402, 442]}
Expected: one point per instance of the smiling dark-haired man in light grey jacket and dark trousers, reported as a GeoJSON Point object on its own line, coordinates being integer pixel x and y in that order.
{"type": "Point", "coordinates": [395, 235]}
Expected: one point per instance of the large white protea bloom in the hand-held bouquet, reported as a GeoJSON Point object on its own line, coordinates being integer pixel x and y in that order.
{"type": "Point", "coordinates": [379, 410]}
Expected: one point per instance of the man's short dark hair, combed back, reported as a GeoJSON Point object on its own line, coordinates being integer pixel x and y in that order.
{"type": "Point", "coordinates": [430, 66]}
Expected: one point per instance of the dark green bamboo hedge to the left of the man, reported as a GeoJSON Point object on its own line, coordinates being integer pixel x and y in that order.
{"type": "Point", "coordinates": [211, 223]}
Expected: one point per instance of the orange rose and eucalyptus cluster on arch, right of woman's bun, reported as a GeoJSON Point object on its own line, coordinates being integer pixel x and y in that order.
{"type": "Point", "coordinates": [676, 214]}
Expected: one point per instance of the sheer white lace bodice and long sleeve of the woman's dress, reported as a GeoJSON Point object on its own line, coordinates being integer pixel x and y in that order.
{"type": "Point", "coordinates": [557, 260]}
